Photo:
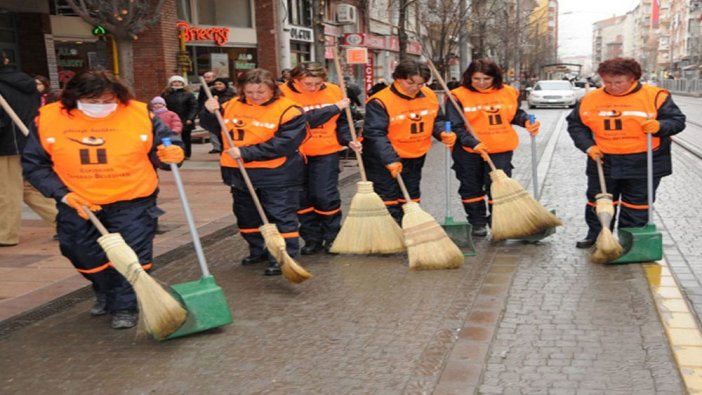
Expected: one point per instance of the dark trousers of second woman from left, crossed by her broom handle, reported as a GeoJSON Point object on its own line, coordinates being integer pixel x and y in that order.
{"type": "Point", "coordinates": [280, 205]}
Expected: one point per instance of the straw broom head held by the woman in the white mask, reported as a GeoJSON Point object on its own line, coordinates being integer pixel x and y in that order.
{"type": "Point", "coordinates": [161, 313]}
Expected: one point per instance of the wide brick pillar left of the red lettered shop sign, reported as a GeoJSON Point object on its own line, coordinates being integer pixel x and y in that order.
{"type": "Point", "coordinates": [155, 54]}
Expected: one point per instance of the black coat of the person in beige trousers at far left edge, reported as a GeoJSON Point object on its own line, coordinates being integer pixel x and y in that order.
{"type": "Point", "coordinates": [20, 91]}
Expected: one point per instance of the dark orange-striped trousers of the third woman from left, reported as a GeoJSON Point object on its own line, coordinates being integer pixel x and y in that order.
{"type": "Point", "coordinates": [320, 201]}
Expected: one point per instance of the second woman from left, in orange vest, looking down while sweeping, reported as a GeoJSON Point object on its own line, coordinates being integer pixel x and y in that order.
{"type": "Point", "coordinates": [267, 130]}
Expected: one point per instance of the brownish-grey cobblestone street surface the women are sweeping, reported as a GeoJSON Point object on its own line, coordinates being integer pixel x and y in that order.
{"type": "Point", "coordinates": [536, 318]}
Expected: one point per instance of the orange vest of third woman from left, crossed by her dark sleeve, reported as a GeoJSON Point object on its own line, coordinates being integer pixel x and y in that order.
{"type": "Point", "coordinates": [322, 139]}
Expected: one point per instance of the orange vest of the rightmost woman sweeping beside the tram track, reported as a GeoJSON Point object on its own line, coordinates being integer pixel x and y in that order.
{"type": "Point", "coordinates": [616, 121]}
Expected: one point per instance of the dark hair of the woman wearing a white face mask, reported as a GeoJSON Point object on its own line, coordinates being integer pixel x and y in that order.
{"type": "Point", "coordinates": [91, 84]}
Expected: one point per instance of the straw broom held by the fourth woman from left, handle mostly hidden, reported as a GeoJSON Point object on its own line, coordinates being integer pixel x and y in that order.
{"type": "Point", "coordinates": [428, 245]}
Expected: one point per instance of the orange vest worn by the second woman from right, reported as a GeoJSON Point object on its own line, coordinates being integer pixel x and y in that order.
{"type": "Point", "coordinates": [491, 114]}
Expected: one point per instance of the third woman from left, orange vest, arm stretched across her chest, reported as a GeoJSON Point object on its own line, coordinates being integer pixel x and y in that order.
{"type": "Point", "coordinates": [320, 201]}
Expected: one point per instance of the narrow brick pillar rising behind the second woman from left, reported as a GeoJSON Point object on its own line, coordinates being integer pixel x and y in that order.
{"type": "Point", "coordinates": [267, 35]}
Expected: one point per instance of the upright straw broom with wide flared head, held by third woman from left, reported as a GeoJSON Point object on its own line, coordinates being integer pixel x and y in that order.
{"type": "Point", "coordinates": [368, 227]}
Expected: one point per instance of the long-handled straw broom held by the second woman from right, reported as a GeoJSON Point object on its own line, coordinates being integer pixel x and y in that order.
{"type": "Point", "coordinates": [515, 214]}
